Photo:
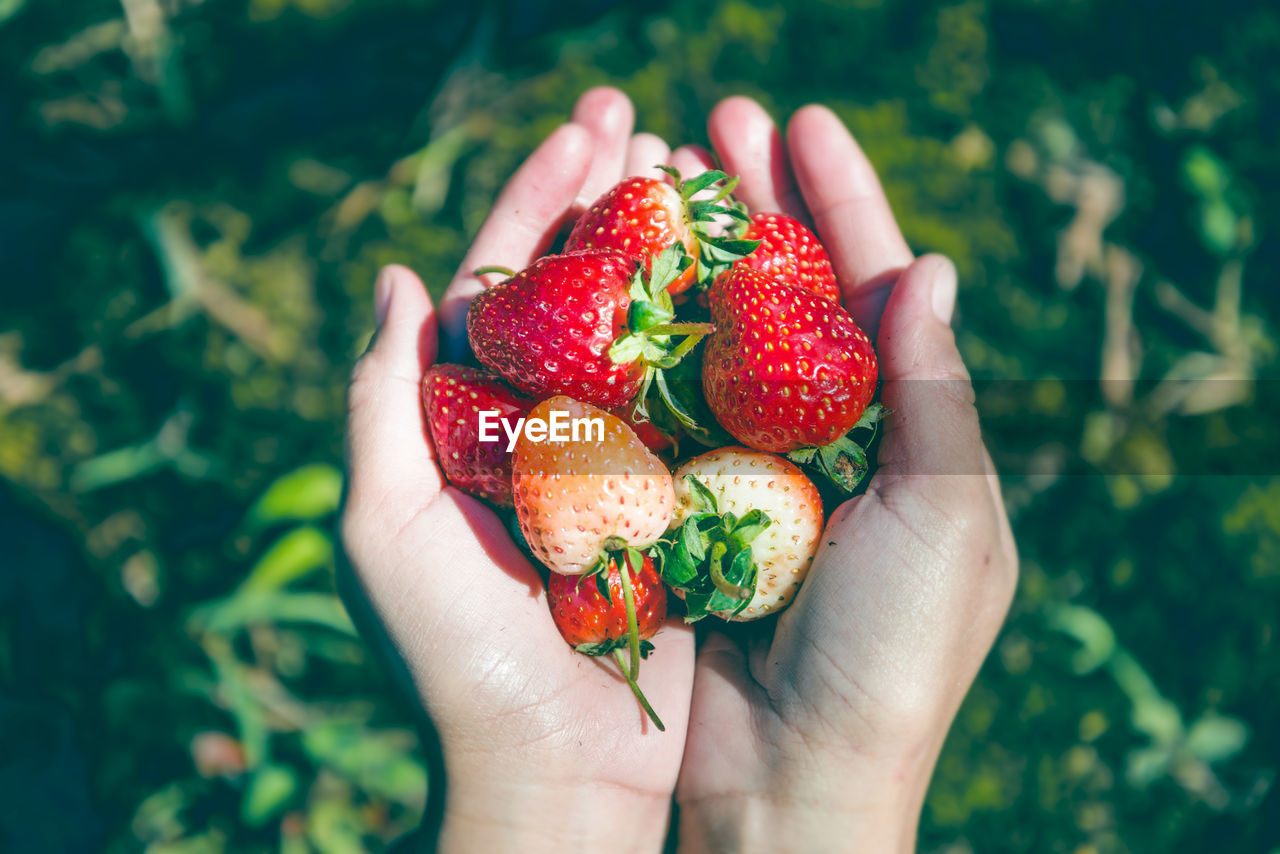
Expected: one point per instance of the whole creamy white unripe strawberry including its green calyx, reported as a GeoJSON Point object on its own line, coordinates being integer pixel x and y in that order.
{"type": "Point", "coordinates": [744, 533]}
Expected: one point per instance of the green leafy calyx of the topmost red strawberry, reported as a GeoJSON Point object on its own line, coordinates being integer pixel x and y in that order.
{"type": "Point", "coordinates": [716, 254]}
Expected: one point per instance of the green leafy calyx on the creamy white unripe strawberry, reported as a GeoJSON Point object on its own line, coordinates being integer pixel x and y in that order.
{"type": "Point", "coordinates": [708, 556]}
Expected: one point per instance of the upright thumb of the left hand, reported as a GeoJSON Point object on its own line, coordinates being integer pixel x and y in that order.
{"type": "Point", "coordinates": [388, 447]}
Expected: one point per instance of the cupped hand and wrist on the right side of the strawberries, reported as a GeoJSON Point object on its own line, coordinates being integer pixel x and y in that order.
{"type": "Point", "coordinates": [820, 732]}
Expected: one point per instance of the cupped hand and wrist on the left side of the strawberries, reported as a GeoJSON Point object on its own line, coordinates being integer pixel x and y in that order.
{"type": "Point", "coordinates": [541, 747]}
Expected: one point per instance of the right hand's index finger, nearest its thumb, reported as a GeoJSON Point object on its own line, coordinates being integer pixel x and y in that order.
{"type": "Point", "coordinates": [851, 212]}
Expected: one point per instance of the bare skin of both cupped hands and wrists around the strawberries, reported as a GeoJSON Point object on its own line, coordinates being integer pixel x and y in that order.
{"type": "Point", "coordinates": [815, 732]}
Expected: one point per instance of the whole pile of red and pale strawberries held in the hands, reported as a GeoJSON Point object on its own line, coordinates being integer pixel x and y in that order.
{"type": "Point", "coordinates": [675, 321]}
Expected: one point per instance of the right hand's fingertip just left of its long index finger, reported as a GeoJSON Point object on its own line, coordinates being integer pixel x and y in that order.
{"type": "Point", "coordinates": [751, 147]}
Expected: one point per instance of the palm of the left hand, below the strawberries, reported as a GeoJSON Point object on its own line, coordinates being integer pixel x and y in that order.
{"type": "Point", "coordinates": [510, 682]}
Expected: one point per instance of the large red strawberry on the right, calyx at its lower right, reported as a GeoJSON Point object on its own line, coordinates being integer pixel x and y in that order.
{"type": "Point", "coordinates": [789, 371]}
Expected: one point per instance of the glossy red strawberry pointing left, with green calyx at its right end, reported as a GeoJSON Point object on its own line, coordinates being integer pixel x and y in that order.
{"type": "Point", "coordinates": [587, 325]}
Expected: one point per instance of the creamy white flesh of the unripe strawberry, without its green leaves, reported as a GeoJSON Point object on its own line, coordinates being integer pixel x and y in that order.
{"type": "Point", "coordinates": [742, 481]}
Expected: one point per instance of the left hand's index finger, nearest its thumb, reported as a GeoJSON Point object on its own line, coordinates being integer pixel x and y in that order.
{"type": "Point", "coordinates": [524, 221]}
